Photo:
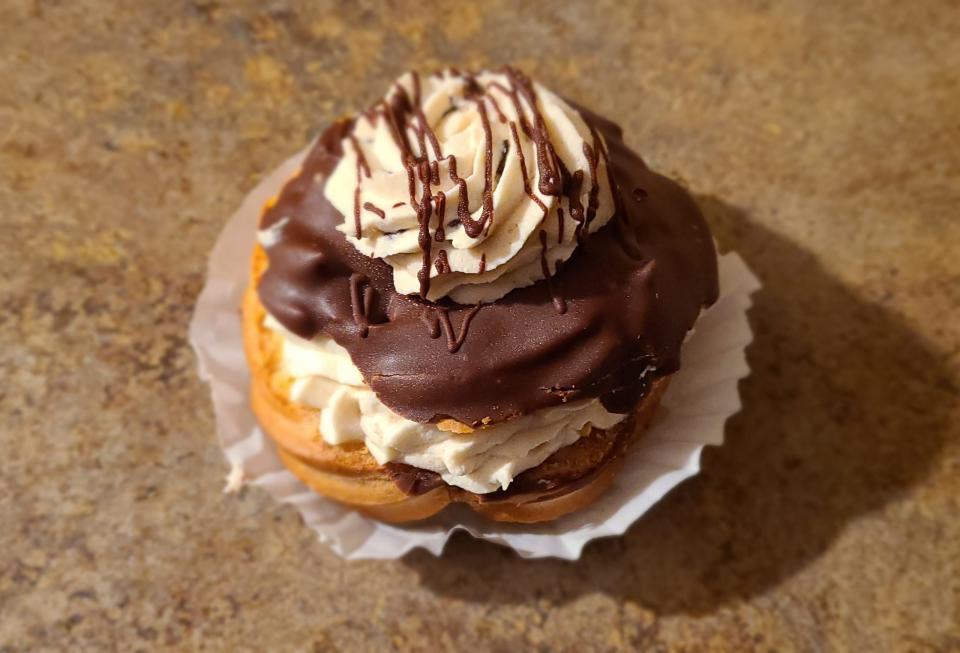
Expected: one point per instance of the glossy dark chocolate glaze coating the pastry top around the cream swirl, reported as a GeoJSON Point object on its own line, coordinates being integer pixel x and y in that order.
{"type": "Point", "coordinates": [631, 290]}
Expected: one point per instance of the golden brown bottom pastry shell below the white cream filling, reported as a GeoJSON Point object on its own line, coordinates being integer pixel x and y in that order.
{"type": "Point", "coordinates": [569, 480]}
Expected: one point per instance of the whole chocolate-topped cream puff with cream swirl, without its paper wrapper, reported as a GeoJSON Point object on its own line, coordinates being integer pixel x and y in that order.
{"type": "Point", "coordinates": [471, 292]}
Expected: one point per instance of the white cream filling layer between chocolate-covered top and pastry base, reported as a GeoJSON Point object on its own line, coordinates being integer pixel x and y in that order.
{"type": "Point", "coordinates": [483, 461]}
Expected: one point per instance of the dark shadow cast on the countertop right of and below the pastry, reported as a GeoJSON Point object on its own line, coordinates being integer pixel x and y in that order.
{"type": "Point", "coordinates": [844, 411]}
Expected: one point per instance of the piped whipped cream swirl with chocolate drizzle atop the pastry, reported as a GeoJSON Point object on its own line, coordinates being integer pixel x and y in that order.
{"type": "Point", "coordinates": [469, 186]}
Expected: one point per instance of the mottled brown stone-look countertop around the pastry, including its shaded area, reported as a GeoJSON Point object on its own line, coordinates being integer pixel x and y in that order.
{"type": "Point", "coordinates": [823, 144]}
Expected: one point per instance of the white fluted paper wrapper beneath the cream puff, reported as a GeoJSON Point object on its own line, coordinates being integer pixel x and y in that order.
{"type": "Point", "coordinates": [700, 398]}
